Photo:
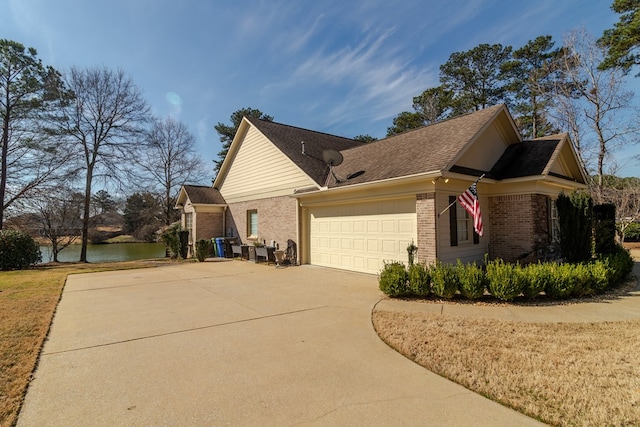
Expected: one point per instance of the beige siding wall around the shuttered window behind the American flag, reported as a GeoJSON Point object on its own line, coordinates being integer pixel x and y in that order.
{"type": "Point", "coordinates": [465, 251]}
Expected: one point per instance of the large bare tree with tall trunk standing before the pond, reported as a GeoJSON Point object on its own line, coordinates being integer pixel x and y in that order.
{"type": "Point", "coordinates": [106, 123]}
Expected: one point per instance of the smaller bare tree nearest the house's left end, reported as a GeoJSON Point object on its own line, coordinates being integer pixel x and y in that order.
{"type": "Point", "coordinates": [170, 160]}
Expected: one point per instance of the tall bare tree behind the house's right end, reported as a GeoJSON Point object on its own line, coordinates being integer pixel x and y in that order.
{"type": "Point", "coordinates": [595, 105]}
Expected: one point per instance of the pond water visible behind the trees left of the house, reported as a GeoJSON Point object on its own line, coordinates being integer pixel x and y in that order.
{"type": "Point", "coordinates": [111, 252]}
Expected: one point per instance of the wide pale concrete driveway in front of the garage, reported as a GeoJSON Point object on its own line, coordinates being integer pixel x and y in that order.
{"type": "Point", "coordinates": [234, 343]}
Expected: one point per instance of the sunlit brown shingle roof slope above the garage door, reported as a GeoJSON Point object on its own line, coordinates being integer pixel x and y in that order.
{"type": "Point", "coordinates": [430, 148]}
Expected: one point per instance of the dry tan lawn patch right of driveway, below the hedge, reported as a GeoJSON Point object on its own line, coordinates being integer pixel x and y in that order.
{"type": "Point", "coordinates": [562, 374]}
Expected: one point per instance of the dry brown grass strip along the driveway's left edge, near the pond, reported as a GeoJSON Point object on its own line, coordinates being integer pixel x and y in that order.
{"type": "Point", "coordinates": [28, 300]}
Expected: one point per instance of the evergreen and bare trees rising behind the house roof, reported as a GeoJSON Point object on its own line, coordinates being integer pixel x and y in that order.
{"type": "Point", "coordinates": [576, 87]}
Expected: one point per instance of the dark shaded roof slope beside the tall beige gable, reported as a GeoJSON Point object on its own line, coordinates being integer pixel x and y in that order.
{"type": "Point", "coordinates": [289, 140]}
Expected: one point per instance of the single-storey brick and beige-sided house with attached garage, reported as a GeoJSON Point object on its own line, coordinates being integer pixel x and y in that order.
{"type": "Point", "coordinates": [353, 206]}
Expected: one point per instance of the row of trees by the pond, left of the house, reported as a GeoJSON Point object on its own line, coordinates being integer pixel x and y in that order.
{"type": "Point", "coordinates": [63, 134]}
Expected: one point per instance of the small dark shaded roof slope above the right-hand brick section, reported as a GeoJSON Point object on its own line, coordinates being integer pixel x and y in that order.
{"type": "Point", "coordinates": [528, 158]}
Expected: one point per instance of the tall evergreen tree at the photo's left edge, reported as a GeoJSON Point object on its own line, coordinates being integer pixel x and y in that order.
{"type": "Point", "coordinates": [30, 93]}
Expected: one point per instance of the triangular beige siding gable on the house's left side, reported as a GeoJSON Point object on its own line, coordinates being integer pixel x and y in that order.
{"type": "Point", "coordinates": [261, 170]}
